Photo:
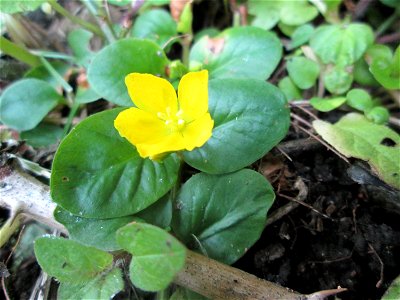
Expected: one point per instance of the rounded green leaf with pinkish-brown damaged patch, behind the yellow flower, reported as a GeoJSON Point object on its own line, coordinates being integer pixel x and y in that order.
{"type": "Point", "coordinates": [240, 52]}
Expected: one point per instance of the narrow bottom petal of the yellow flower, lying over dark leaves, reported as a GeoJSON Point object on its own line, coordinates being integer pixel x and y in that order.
{"type": "Point", "coordinates": [173, 142]}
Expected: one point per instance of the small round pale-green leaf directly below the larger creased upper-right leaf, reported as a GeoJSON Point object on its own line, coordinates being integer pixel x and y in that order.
{"type": "Point", "coordinates": [338, 80]}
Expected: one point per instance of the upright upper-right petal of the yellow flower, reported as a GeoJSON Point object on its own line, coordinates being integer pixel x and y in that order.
{"type": "Point", "coordinates": [193, 94]}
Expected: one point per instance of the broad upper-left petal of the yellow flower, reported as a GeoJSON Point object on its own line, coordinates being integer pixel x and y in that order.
{"type": "Point", "coordinates": [151, 93]}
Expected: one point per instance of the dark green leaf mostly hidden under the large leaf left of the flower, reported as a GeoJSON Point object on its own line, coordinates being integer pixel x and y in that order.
{"type": "Point", "coordinates": [99, 233]}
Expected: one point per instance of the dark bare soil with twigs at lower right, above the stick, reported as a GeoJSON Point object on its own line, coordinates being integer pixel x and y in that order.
{"type": "Point", "coordinates": [343, 239]}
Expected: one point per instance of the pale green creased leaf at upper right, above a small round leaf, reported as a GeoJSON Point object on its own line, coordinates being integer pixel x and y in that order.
{"type": "Point", "coordinates": [341, 44]}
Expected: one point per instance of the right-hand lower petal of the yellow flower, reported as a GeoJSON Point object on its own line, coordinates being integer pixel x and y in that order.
{"type": "Point", "coordinates": [197, 133]}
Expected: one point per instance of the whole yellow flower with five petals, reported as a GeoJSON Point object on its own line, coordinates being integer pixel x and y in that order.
{"type": "Point", "coordinates": [162, 122]}
